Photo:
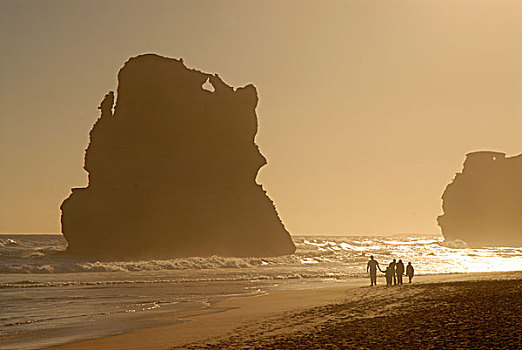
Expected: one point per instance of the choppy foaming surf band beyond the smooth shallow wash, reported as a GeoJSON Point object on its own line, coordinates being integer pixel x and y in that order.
{"type": "Point", "coordinates": [341, 256]}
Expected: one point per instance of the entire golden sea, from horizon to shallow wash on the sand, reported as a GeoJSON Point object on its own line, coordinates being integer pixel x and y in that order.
{"type": "Point", "coordinates": [48, 298]}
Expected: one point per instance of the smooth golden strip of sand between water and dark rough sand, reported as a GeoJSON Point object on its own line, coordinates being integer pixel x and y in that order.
{"type": "Point", "coordinates": [233, 316]}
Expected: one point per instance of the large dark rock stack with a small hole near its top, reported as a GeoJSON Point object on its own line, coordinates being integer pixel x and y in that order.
{"type": "Point", "coordinates": [172, 171]}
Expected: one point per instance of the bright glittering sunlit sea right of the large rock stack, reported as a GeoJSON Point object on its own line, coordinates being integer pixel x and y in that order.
{"type": "Point", "coordinates": [428, 255]}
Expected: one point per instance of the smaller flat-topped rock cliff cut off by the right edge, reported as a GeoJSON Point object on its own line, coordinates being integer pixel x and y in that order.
{"type": "Point", "coordinates": [483, 204]}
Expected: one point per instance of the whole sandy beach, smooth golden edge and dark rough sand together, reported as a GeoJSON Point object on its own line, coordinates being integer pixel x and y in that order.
{"type": "Point", "coordinates": [460, 311]}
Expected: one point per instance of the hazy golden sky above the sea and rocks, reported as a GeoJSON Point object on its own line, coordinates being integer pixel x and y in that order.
{"type": "Point", "coordinates": [367, 108]}
